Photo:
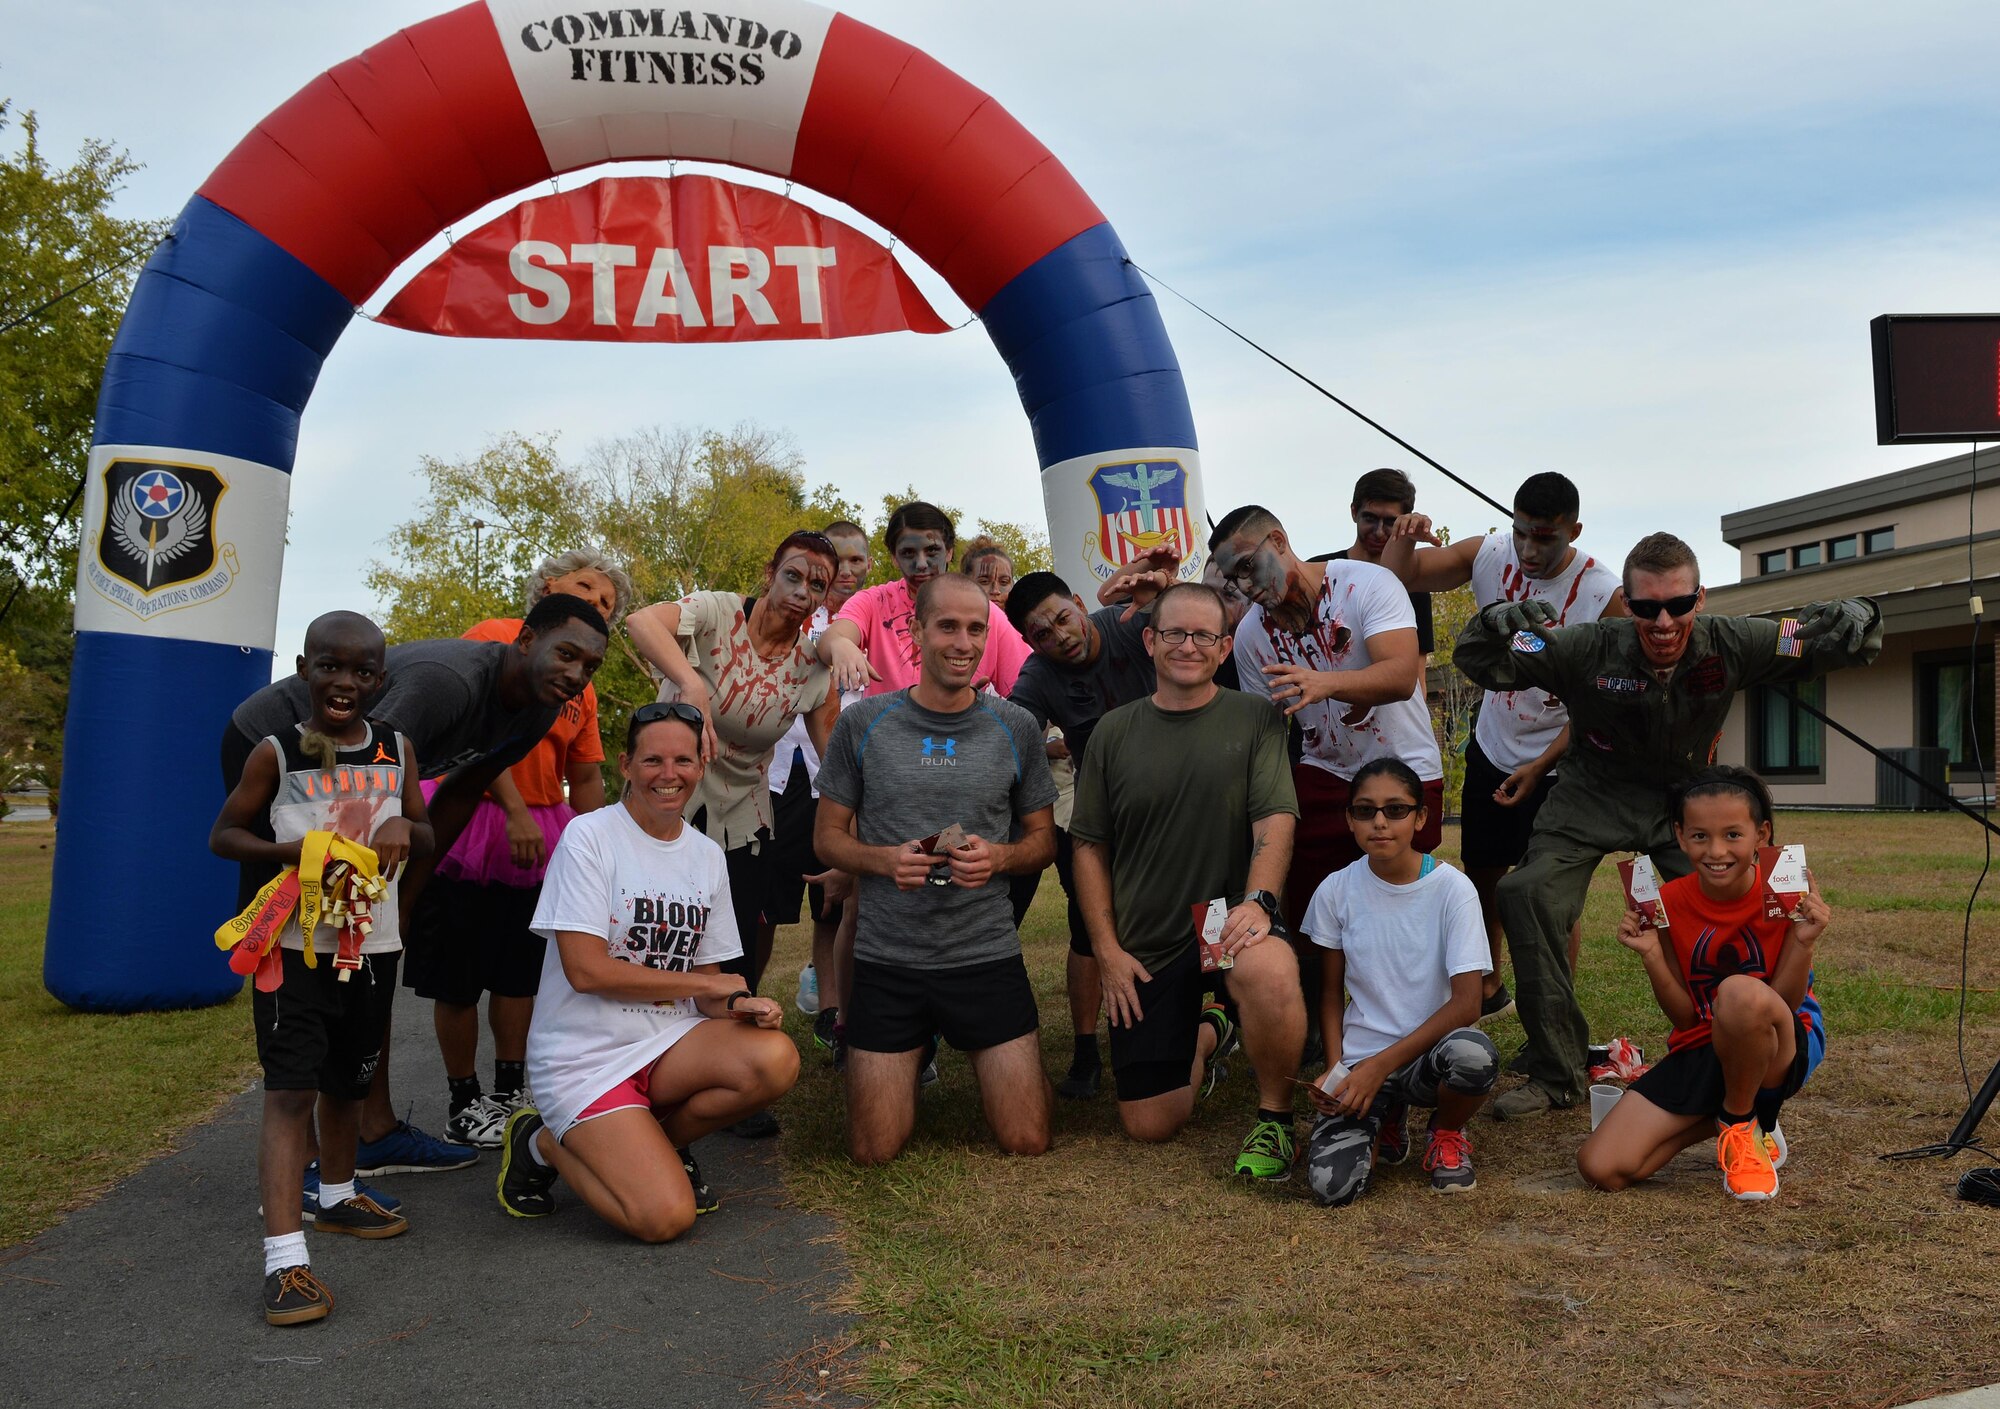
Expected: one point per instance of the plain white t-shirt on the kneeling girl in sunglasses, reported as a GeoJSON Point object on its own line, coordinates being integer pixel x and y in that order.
{"type": "Point", "coordinates": [1405, 944]}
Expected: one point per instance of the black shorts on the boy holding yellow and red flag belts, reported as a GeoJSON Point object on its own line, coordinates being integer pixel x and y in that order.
{"type": "Point", "coordinates": [317, 1034]}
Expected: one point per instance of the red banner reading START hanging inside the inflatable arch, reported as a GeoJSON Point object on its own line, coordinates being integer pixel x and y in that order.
{"type": "Point", "coordinates": [663, 259]}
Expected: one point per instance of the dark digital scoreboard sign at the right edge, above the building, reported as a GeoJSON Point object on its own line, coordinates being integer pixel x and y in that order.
{"type": "Point", "coordinates": [1937, 377]}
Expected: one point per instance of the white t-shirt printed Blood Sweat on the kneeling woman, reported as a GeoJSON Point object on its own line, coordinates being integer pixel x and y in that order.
{"type": "Point", "coordinates": [655, 904]}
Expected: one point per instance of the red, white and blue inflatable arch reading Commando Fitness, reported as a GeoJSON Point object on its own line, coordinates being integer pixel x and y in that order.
{"type": "Point", "coordinates": [185, 509]}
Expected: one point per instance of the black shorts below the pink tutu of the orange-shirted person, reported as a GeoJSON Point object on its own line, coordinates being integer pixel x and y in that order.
{"type": "Point", "coordinates": [469, 940]}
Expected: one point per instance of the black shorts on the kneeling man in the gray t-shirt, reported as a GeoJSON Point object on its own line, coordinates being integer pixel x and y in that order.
{"type": "Point", "coordinates": [895, 1010]}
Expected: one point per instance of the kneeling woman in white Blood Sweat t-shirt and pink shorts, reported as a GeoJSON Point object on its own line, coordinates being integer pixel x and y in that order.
{"type": "Point", "coordinates": [641, 1044]}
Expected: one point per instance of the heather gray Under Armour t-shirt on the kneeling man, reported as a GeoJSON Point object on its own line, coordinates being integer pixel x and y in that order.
{"type": "Point", "coordinates": [909, 774]}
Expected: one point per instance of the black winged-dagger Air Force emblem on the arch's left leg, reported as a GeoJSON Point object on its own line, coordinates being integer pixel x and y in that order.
{"type": "Point", "coordinates": [157, 541]}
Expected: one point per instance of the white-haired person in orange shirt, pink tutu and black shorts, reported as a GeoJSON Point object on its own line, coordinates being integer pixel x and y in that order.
{"type": "Point", "coordinates": [471, 930]}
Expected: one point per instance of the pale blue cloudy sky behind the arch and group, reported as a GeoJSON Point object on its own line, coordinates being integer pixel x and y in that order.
{"type": "Point", "coordinates": [1639, 245]}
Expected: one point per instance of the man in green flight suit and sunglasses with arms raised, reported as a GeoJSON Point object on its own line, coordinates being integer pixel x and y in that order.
{"type": "Point", "coordinates": [1647, 701]}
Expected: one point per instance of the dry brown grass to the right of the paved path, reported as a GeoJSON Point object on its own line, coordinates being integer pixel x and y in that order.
{"type": "Point", "coordinates": [1121, 1274]}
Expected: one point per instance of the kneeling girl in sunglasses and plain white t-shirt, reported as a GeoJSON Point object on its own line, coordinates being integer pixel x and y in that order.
{"type": "Point", "coordinates": [1407, 944]}
